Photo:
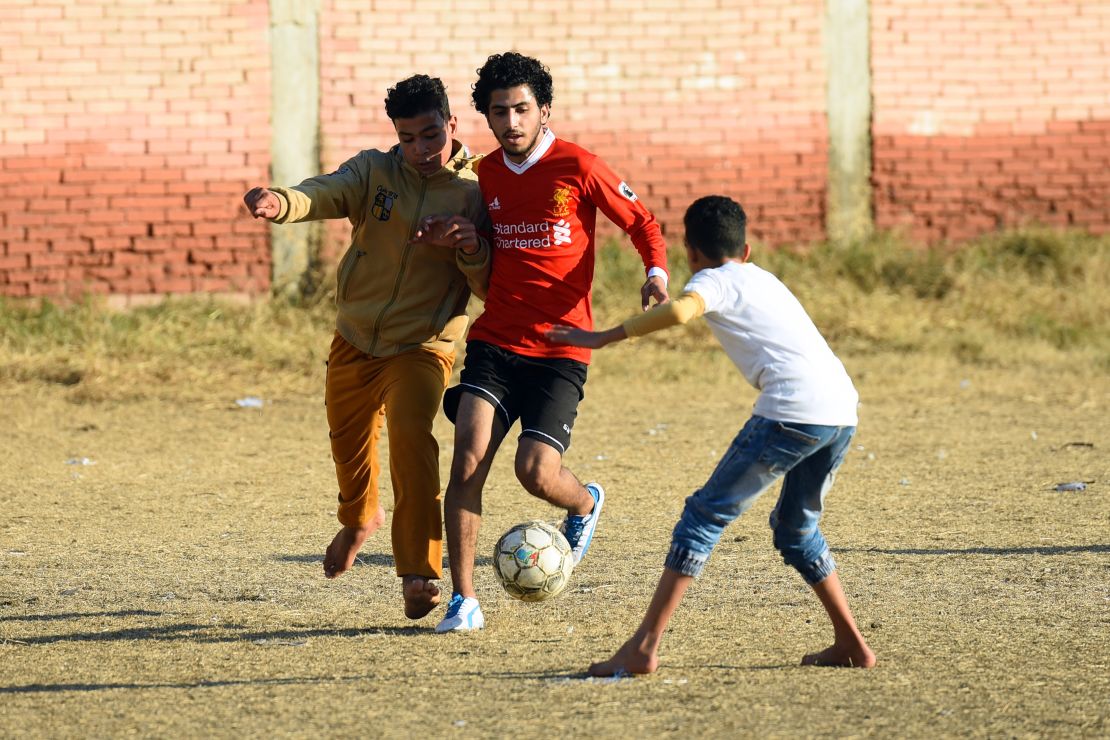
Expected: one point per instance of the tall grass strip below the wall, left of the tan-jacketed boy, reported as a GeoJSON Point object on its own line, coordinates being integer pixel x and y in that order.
{"type": "Point", "coordinates": [180, 344]}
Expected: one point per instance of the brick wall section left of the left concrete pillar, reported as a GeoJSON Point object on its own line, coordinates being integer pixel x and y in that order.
{"type": "Point", "coordinates": [128, 133]}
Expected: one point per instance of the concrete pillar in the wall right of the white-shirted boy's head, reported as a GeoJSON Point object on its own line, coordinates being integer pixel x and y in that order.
{"type": "Point", "coordinates": [849, 62]}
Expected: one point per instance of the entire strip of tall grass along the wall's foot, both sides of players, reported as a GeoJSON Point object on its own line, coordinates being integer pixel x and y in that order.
{"type": "Point", "coordinates": [1022, 297]}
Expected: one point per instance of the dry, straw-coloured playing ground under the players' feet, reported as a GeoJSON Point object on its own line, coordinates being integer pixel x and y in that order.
{"type": "Point", "coordinates": [160, 571]}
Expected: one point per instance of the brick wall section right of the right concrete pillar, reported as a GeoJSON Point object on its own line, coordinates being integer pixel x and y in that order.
{"type": "Point", "coordinates": [991, 115]}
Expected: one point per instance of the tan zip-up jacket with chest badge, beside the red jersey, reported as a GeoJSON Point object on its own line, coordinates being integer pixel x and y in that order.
{"type": "Point", "coordinates": [395, 296]}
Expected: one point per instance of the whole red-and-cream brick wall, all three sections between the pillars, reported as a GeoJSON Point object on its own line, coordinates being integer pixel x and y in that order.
{"type": "Point", "coordinates": [130, 130]}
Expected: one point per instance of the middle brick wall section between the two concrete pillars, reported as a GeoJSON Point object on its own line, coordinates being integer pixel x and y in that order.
{"type": "Point", "coordinates": [682, 98]}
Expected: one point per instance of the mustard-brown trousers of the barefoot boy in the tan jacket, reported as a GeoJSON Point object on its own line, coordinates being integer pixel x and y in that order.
{"type": "Point", "coordinates": [406, 391]}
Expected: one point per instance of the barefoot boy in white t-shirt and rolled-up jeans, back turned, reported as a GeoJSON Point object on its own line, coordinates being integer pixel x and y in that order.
{"type": "Point", "coordinates": [801, 429]}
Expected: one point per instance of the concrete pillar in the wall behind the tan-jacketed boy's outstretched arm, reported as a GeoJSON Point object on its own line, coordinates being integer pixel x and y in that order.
{"type": "Point", "coordinates": [295, 147]}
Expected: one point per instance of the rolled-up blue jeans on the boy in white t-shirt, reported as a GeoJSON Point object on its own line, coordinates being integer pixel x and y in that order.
{"type": "Point", "coordinates": [764, 452]}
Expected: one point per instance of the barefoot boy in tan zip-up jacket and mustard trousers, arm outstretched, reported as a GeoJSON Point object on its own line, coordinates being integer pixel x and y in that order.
{"type": "Point", "coordinates": [416, 258]}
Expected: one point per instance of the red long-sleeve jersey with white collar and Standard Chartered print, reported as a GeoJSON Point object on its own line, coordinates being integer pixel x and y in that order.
{"type": "Point", "coordinates": [543, 215]}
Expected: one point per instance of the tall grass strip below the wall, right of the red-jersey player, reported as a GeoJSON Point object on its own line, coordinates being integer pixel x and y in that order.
{"type": "Point", "coordinates": [1000, 299]}
